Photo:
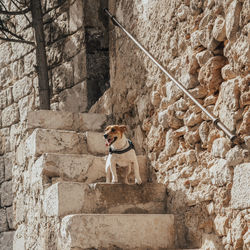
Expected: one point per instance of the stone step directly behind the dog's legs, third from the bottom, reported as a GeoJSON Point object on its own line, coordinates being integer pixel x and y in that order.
{"type": "Point", "coordinates": [82, 168]}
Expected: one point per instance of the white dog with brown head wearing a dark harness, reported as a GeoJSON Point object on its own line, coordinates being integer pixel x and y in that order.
{"type": "Point", "coordinates": [121, 153]}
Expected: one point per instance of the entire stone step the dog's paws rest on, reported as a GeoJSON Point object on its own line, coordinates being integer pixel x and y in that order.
{"type": "Point", "coordinates": [65, 198]}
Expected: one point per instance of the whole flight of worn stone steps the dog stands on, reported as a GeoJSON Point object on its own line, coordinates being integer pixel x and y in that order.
{"type": "Point", "coordinates": [70, 153]}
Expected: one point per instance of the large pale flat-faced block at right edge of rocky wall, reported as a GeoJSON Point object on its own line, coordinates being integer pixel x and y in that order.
{"type": "Point", "coordinates": [240, 193]}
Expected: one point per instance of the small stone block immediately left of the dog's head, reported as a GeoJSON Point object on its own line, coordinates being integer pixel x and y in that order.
{"type": "Point", "coordinates": [96, 143]}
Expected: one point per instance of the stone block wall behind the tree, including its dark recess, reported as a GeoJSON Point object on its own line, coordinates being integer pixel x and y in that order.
{"type": "Point", "coordinates": [69, 34]}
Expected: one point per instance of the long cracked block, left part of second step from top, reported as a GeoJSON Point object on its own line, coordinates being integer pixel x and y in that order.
{"type": "Point", "coordinates": [55, 141]}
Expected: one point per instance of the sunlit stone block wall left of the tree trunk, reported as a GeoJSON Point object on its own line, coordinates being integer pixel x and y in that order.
{"type": "Point", "coordinates": [18, 94]}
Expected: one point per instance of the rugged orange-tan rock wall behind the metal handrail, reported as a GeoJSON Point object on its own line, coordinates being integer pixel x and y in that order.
{"type": "Point", "coordinates": [205, 45]}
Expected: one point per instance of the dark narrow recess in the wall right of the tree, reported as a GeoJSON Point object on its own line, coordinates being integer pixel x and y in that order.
{"type": "Point", "coordinates": [97, 50]}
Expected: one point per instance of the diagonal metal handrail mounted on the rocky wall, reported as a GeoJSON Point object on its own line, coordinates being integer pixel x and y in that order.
{"type": "Point", "coordinates": [215, 120]}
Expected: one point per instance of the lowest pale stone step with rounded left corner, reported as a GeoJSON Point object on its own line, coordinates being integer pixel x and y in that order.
{"type": "Point", "coordinates": [117, 231]}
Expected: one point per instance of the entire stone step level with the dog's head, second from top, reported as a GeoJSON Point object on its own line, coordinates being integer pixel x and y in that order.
{"type": "Point", "coordinates": [68, 142]}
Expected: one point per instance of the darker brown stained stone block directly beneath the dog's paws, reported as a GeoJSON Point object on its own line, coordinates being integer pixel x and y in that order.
{"type": "Point", "coordinates": [147, 198]}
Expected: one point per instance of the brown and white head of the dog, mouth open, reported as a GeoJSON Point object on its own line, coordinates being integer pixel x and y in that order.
{"type": "Point", "coordinates": [113, 133]}
